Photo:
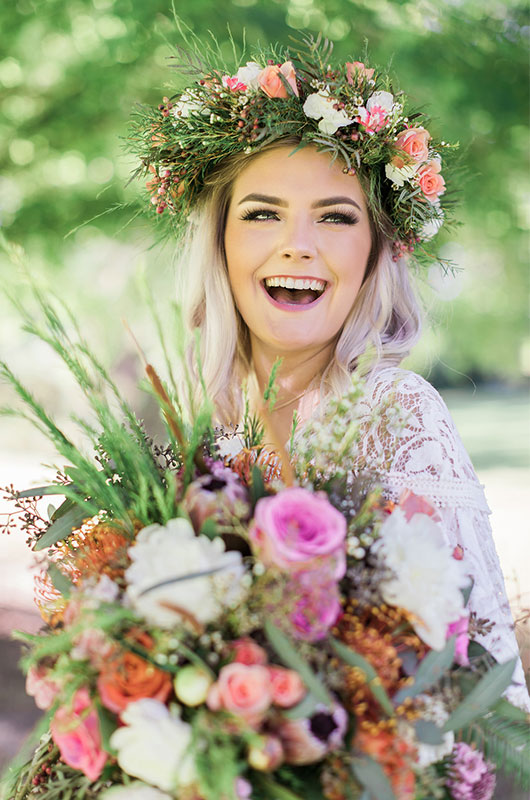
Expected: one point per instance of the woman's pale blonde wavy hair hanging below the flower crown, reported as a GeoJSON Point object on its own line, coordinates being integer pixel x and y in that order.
{"type": "Point", "coordinates": [385, 319]}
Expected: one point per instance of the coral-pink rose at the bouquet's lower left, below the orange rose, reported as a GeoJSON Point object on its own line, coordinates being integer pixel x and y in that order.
{"type": "Point", "coordinates": [76, 733]}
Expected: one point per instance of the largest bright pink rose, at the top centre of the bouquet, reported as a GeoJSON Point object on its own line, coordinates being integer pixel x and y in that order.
{"type": "Point", "coordinates": [296, 529]}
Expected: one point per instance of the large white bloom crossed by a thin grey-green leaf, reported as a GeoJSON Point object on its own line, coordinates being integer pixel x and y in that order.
{"type": "Point", "coordinates": [174, 551]}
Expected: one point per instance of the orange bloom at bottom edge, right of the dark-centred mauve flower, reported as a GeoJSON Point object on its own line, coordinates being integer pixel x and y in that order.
{"type": "Point", "coordinates": [394, 755]}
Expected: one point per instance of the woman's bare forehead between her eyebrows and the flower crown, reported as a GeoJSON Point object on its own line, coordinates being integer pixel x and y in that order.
{"type": "Point", "coordinates": [304, 175]}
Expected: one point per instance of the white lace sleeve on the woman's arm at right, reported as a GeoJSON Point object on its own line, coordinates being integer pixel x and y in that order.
{"type": "Point", "coordinates": [429, 458]}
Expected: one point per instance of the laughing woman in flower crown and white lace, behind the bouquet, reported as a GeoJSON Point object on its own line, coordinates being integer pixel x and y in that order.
{"type": "Point", "coordinates": [309, 187]}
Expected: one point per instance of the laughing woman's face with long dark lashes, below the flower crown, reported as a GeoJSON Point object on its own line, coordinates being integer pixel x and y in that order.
{"type": "Point", "coordinates": [297, 242]}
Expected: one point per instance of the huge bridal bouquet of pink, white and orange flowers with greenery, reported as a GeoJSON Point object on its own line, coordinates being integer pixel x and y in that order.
{"type": "Point", "coordinates": [260, 624]}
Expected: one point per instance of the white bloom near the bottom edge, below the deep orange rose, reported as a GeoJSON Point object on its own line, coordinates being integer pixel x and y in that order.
{"type": "Point", "coordinates": [154, 745]}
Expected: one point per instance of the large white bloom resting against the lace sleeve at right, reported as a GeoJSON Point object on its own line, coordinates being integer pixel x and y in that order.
{"type": "Point", "coordinates": [426, 579]}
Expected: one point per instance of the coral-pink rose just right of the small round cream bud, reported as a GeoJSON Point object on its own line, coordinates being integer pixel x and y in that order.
{"type": "Point", "coordinates": [242, 690]}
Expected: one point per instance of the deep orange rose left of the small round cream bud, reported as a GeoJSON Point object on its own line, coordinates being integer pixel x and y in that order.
{"type": "Point", "coordinates": [130, 677]}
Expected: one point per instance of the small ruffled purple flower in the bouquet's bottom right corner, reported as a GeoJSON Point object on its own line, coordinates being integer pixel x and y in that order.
{"type": "Point", "coordinates": [470, 776]}
